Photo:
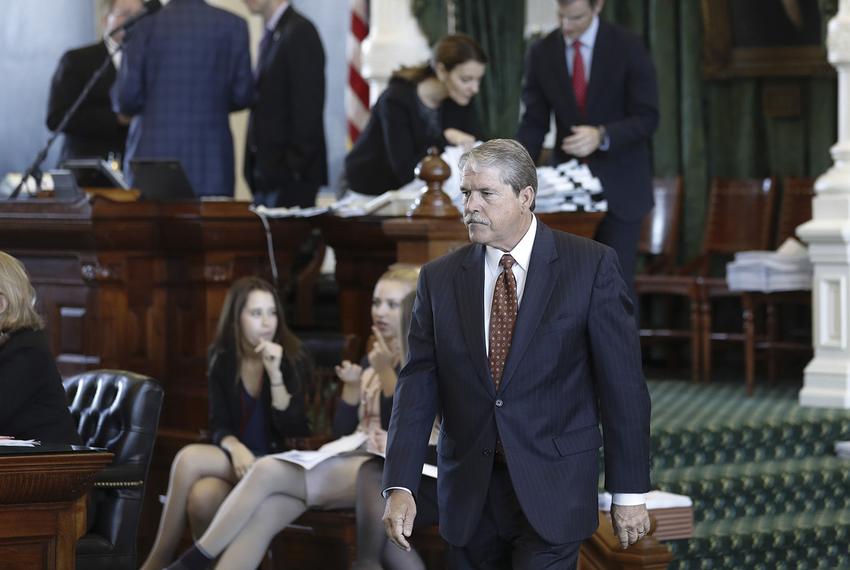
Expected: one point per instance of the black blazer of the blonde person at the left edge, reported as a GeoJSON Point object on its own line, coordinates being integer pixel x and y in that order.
{"type": "Point", "coordinates": [32, 400]}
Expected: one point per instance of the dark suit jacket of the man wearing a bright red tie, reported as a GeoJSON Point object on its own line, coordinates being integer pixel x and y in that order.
{"type": "Point", "coordinates": [622, 96]}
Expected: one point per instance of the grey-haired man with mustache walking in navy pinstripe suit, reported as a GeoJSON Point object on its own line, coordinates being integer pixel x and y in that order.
{"type": "Point", "coordinates": [525, 342]}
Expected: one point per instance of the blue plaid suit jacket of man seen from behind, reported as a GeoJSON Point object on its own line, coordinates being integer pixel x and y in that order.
{"type": "Point", "coordinates": [184, 70]}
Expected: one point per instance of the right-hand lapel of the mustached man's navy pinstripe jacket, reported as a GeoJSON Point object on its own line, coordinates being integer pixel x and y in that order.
{"type": "Point", "coordinates": [539, 284]}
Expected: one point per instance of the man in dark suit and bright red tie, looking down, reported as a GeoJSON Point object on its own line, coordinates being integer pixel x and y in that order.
{"type": "Point", "coordinates": [600, 83]}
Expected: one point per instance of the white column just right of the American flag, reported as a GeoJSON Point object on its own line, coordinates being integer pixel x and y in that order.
{"type": "Point", "coordinates": [394, 40]}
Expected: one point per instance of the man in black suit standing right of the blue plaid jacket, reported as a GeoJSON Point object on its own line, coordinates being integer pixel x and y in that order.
{"type": "Point", "coordinates": [285, 158]}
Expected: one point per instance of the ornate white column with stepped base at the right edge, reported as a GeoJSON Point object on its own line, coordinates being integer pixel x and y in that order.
{"type": "Point", "coordinates": [826, 380]}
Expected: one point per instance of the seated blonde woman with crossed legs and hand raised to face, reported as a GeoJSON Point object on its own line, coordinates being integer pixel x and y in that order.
{"type": "Point", "coordinates": [274, 493]}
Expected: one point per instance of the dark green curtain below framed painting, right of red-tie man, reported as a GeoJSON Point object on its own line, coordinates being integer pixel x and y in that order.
{"type": "Point", "coordinates": [729, 128]}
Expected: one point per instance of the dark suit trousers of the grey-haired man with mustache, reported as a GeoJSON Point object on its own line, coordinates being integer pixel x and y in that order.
{"type": "Point", "coordinates": [505, 540]}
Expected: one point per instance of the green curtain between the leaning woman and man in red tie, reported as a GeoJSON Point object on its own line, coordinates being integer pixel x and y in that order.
{"type": "Point", "coordinates": [498, 25]}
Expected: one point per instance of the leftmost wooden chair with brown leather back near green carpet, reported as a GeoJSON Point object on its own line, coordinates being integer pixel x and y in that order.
{"type": "Point", "coordinates": [659, 279]}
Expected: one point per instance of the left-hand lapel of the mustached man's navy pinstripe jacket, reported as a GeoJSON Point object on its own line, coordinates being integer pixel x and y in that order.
{"type": "Point", "coordinates": [469, 293]}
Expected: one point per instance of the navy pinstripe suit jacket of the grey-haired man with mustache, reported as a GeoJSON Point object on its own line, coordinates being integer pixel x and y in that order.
{"type": "Point", "coordinates": [574, 364]}
